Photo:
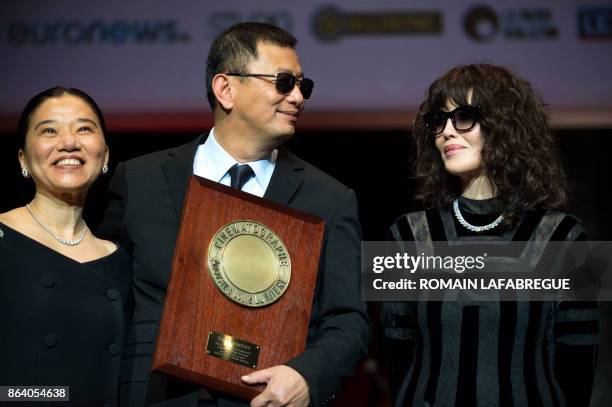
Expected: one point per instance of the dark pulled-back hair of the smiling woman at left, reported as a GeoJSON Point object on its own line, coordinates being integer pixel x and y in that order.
{"type": "Point", "coordinates": [39, 99]}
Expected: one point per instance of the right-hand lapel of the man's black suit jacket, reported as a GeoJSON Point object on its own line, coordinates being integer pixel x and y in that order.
{"type": "Point", "coordinates": [287, 177]}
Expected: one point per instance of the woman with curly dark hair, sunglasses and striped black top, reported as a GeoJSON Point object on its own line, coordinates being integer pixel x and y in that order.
{"type": "Point", "coordinates": [487, 164]}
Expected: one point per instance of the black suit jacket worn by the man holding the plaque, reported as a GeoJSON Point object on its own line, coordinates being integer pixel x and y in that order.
{"type": "Point", "coordinates": [147, 195]}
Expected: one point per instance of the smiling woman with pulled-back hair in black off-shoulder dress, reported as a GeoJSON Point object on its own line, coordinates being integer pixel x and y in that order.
{"type": "Point", "coordinates": [63, 293]}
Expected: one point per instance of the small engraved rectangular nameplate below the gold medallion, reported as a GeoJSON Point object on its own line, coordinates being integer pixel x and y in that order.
{"type": "Point", "coordinates": [232, 349]}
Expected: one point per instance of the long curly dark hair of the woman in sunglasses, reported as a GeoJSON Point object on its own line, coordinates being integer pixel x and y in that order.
{"type": "Point", "coordinates": [519, 154]}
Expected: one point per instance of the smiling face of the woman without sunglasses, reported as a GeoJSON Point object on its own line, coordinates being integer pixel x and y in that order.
{"type": "Point", "coordinates": [64, 147]}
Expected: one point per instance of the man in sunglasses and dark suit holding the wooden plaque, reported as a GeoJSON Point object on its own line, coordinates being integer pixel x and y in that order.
{"type": "Point", "coordinates": [256, 88]}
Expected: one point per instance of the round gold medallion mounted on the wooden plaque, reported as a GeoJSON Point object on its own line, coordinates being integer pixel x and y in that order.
{"type": "Point", "coordinates": [249, 263]}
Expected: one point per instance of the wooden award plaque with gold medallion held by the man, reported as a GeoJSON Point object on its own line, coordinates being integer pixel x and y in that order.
{"type": "Point", "coordinates": [241, 288]}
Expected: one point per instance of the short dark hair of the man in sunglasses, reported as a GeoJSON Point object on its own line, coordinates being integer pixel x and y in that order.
{"type": "Point", "coordinates": [235, 48]}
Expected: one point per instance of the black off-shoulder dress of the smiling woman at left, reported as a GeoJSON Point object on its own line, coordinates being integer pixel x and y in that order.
{"type": "Point", "coordinates": [63, 322]}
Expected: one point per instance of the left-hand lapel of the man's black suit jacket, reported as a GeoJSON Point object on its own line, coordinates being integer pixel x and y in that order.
{"type": "Point", "coordinates": [178, 170]}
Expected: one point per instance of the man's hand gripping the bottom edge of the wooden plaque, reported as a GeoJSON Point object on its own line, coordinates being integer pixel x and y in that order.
{"type": "Point", "coordinates": [284, 387]}
